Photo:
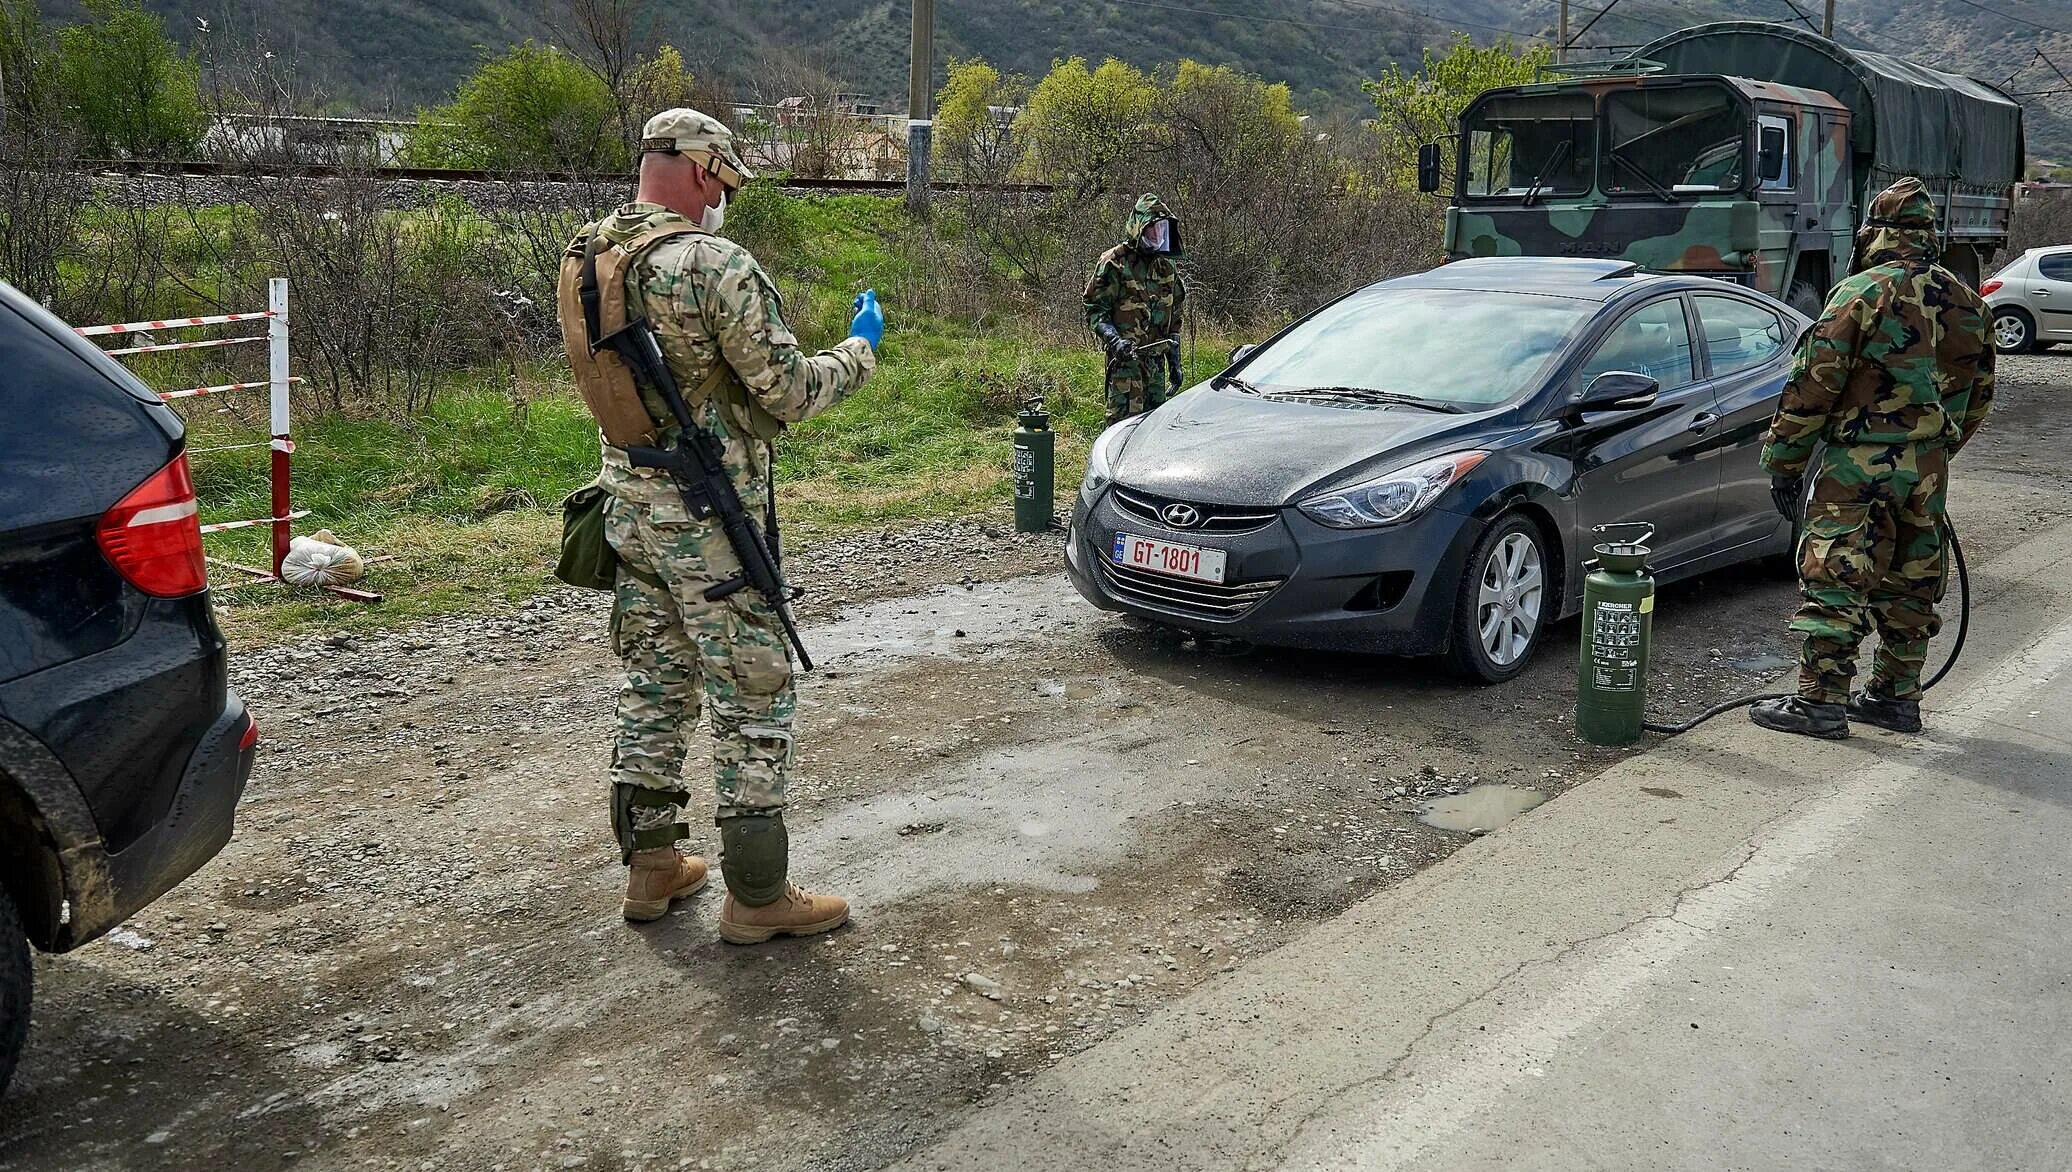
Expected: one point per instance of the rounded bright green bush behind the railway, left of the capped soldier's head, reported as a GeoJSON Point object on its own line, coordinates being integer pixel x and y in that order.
{"type": "Point", "coordinates": [534, 109]}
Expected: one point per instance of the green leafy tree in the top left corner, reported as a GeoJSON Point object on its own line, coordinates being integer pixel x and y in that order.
{"type": "Point", "coordinates": [134, 92]}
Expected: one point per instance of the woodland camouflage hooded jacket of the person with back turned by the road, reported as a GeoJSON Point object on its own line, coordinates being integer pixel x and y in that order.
{"type": "Point", "coordinates": [1901, 355]}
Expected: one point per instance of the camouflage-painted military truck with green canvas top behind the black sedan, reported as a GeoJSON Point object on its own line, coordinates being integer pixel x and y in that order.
{"type": "Point", "coordinates": [1739, 150]}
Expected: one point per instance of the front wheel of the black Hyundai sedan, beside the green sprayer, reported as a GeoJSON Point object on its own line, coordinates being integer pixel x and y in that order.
{"type": "Point", "coordinates": [1495, 589]}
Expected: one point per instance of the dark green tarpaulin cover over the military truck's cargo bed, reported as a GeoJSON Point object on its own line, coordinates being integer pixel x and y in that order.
{"type": "Point", "coordinates": [1909, 119]}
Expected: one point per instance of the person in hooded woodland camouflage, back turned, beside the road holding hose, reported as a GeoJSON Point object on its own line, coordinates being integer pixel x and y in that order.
{"type": "Point", "coordinates": [1893, 382]}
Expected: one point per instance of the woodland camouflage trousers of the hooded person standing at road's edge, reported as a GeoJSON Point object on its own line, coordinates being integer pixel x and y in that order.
{"type": "Point", "coordinates": [1872, 558]}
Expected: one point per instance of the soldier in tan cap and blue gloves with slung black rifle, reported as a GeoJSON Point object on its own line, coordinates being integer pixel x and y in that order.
{"type": "Point", "coordinates": [710, 303]}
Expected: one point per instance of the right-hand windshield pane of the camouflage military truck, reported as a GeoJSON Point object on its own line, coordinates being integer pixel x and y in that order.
{"type": "Point", "coordinates": [1675, 142]}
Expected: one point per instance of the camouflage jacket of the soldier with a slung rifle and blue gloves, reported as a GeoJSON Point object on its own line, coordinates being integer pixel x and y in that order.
{"type": "Point", "coordinates": [710, 301]}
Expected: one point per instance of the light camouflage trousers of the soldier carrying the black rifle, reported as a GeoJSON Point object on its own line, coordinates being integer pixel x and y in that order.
{"type": "Point", "coordinates": [677, 645]}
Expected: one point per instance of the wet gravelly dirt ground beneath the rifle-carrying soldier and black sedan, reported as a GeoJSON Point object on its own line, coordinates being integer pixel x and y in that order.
{"type": "Point", "coordinates": [1049, 821]}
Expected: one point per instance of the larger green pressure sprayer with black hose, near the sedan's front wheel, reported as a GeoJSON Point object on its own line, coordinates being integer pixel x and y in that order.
{"type": "Point", "coordinates": [1619, 606]}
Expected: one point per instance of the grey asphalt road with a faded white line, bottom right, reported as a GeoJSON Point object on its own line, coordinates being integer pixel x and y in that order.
{"type": "Point", "coordinates": [1737, 951]}
